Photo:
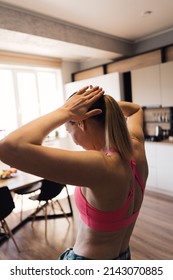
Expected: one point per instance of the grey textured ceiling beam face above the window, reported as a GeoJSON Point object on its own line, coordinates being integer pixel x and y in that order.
{"type": "Point", "coordinates": [24, 21]}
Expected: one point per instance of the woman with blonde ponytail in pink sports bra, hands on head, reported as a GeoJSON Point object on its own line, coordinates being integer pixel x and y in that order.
{"type": "Point", "coordinates": [111, 172]}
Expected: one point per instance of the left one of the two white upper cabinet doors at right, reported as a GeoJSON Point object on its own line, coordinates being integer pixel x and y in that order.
{"type": "Point", "coordinates": [146, 86]}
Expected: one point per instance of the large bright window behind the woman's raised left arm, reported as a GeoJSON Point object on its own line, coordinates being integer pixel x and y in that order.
{"type": "Point", "coordinates": [27, 93]}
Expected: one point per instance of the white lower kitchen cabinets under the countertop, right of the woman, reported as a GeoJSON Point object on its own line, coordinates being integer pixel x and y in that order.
{"type": "Point", "coordinates": [160, 162]}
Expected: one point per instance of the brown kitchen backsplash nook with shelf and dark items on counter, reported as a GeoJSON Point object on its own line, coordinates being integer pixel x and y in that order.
{"type": "Point", "coordinates": [158, 123]}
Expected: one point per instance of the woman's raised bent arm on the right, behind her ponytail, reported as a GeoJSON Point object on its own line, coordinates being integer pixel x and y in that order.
{"type": "Point", "coordinates": [134, 115]}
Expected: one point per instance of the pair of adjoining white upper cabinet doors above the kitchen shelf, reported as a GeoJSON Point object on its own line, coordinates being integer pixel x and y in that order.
{"type": "Point", "coordinates": [153, 86]}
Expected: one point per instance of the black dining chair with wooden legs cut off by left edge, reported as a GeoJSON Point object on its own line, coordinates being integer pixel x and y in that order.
{"type": "Point", "coordinates": [6, 207]}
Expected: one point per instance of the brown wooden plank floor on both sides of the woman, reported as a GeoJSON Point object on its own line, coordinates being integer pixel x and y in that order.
{"type": "Point", "coordinates": [152, 238]}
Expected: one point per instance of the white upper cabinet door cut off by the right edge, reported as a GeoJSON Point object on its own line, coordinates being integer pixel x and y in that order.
{"type": "Point", "coordinates": [166, 83]}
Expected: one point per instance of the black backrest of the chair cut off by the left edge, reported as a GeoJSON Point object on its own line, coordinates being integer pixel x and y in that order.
{"type": "Point", "coordinates": [6, 202]}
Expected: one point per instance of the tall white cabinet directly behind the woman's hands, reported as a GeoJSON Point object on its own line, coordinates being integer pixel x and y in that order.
{"type": "Point", "coordinates": [111, 83]}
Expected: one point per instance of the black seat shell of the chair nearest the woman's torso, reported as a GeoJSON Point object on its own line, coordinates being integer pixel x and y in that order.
{"type": "Point", "coordinates": [49, 190]}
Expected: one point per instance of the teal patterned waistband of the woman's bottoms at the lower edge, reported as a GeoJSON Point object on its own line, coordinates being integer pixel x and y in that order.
{"type": "Point", "coordinates": [70, 255]}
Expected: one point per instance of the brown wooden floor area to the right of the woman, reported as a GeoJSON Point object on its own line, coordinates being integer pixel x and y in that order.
{"type": "Point", "coordinates": [153, 235]}
